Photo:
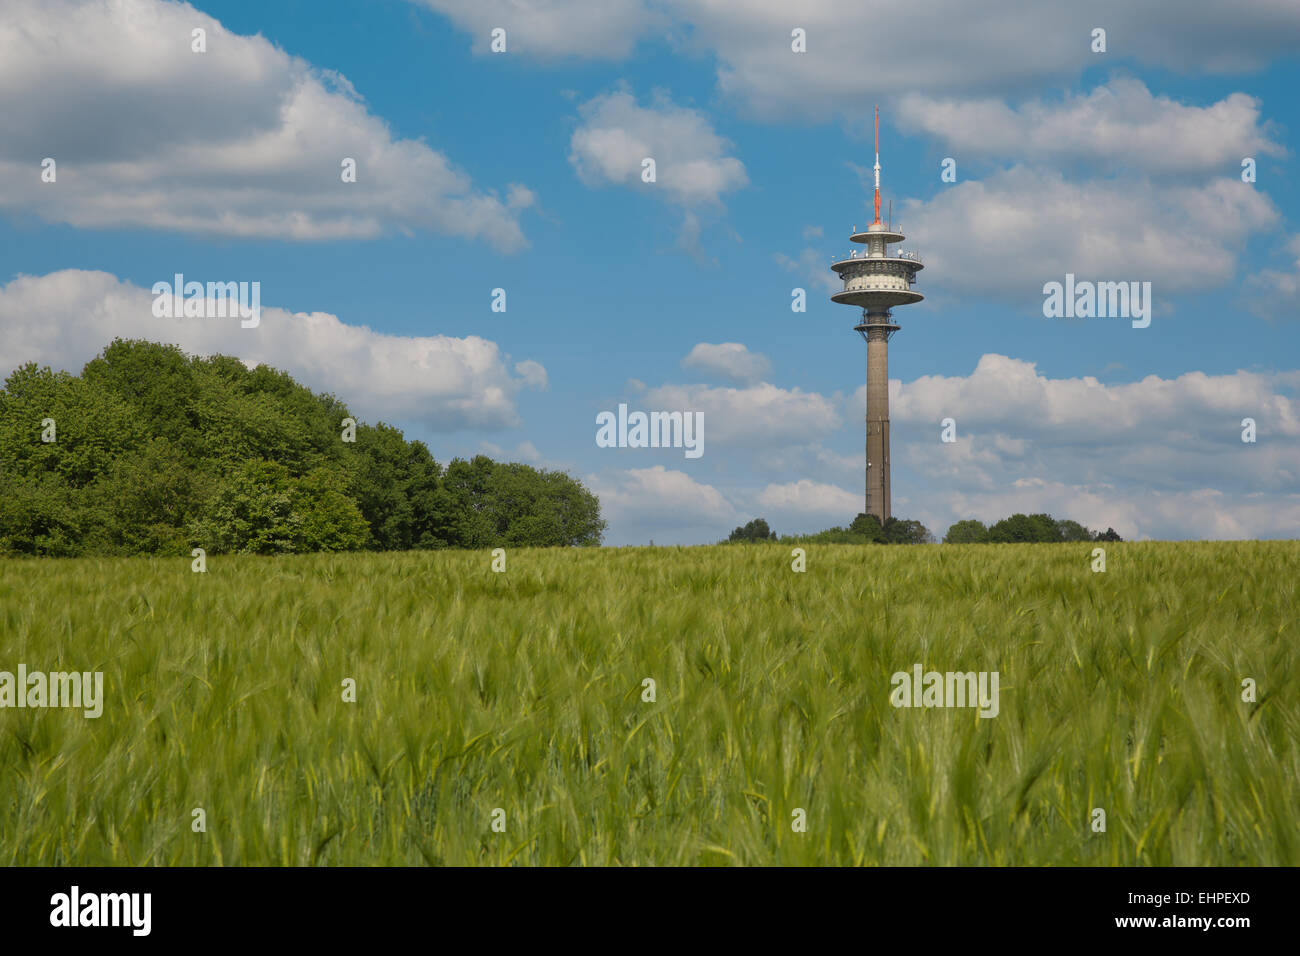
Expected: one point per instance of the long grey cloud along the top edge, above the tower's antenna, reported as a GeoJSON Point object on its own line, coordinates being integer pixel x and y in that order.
{"type": "Point", "coordinates": [1009, 46]}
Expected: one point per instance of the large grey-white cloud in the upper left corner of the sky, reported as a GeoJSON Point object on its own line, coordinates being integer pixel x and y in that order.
{"type": "Point", "coordinates": [240, 141]}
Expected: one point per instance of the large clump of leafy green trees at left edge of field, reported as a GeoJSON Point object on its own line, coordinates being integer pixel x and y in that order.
{"type": "Point", "coordinates": [154, 452]}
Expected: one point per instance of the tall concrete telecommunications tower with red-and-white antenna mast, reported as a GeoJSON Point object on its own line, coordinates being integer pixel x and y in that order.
{"type": "Point", "coordinates": [877, 282]}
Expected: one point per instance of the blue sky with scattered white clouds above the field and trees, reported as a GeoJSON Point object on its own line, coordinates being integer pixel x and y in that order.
{"type": "Point", "coordinates": [522, 171]}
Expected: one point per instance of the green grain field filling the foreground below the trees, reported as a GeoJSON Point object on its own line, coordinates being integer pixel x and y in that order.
{"type": "Point", "coordinates": [523, 691]}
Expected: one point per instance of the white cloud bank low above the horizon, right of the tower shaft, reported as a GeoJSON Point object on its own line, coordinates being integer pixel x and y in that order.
{"type": "Point", "coordinates": [1152, 458]}
